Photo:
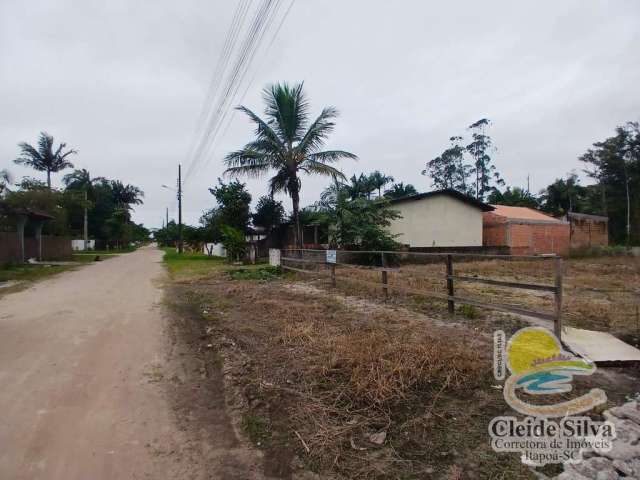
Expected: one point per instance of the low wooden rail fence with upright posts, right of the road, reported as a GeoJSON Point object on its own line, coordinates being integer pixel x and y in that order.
{"type": "Point", "coordinates": [383, 262]}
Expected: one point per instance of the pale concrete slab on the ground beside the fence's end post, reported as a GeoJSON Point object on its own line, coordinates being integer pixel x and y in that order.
{"type": "Point", "coordinates": [599, 346]}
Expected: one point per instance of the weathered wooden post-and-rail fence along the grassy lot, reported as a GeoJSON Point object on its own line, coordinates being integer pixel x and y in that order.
{"type": "Point", "coordinates": [449, 281]}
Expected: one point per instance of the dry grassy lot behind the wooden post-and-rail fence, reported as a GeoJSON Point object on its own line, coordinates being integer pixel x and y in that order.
{"type": "Point", "coordinates": [599, 293]}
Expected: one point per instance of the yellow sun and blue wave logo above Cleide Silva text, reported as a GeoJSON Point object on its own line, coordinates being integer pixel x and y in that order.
{"type": "Point", "coordinates": [539, 366]}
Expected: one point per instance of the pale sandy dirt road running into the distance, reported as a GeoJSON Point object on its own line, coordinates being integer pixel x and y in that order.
{"type": "Point", "coordinates": [90, 387]}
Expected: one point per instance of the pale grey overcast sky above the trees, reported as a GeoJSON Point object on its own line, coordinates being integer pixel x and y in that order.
{"type": "Point", "coordinates": [124, 83]}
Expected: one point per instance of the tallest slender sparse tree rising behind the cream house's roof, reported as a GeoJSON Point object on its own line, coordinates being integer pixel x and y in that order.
{"type": "Point", "coordinates": [480, 148]}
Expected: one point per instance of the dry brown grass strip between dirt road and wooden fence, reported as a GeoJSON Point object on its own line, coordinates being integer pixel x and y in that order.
{"type": "Point", "coordinates": [349, 387]}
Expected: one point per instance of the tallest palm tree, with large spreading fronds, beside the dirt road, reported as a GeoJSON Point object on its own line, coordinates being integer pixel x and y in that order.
{"type": "Point", "coordinates": [287, 143]}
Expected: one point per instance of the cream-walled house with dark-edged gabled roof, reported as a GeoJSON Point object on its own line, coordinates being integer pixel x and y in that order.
{"type": "Point", "coordinates": [442, 218]}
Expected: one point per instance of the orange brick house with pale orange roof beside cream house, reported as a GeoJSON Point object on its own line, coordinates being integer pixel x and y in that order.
{"type": "Point", "coordinates": [525, 231]}
